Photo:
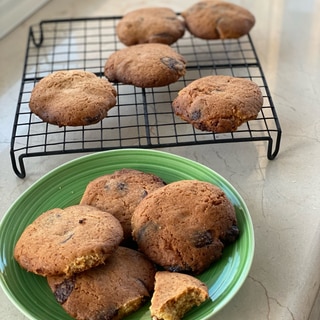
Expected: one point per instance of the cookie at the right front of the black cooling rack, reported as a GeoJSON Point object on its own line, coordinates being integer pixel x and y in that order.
{"type": "Point", "coordinates": [218, 103]}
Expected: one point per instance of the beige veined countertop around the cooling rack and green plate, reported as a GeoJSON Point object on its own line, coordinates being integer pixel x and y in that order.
{"type": "Point", "coordinates": [282, 195]}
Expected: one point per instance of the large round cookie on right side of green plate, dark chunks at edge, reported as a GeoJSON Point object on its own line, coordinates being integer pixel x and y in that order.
{"type": "Point", "coordinates": [184, 226]}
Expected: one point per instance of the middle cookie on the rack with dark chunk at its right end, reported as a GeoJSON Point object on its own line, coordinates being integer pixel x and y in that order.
{"type": "Point", "coordinates": [145, 65]}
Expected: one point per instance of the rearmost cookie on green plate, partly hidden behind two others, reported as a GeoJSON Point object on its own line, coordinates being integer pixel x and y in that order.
{"type": "Point", "coordinates": [120, 192]}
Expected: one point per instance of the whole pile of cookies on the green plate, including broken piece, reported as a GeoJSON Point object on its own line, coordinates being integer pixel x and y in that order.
{"type": "Point", "coordinates": [130, 237]}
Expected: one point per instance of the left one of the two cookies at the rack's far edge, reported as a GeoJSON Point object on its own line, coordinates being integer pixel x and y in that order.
{"type": "Point", "coordinates": [150, 25]}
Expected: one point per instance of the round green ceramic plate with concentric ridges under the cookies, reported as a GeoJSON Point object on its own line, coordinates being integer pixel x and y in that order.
{"type": "Point", "coordinates": [64, 186]}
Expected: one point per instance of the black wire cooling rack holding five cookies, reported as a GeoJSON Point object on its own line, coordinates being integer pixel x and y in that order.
{"type": "Point", "coordinates": [143, 118]}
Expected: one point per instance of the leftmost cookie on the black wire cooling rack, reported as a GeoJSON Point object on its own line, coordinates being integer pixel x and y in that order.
{"type": "Point", "coordinates": [72, 98]}
